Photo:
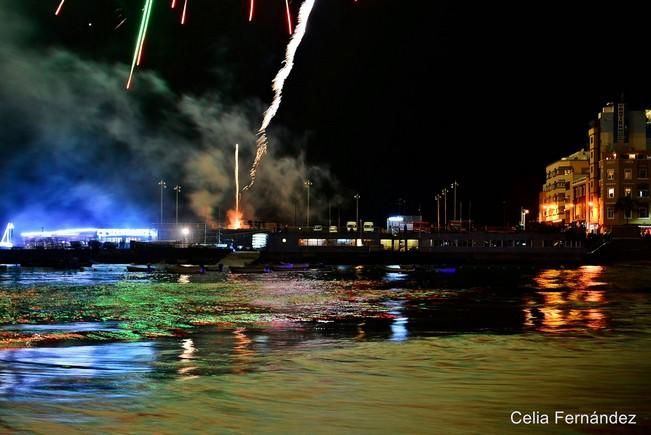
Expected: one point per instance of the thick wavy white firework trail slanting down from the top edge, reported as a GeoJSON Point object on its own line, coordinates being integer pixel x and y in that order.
{"type": "Point", "coordinates": [278, 84]}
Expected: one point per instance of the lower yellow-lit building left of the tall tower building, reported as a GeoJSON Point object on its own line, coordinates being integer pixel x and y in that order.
{"type": "Point", "coordinates": [556, 196]}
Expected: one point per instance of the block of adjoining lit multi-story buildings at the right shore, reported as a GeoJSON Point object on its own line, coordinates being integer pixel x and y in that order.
{"type": "Point", "coordinates": [614, 187]}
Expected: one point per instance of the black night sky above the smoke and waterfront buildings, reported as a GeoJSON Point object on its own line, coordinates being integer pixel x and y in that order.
{"type": "Point", "coordinates": [396, 99]}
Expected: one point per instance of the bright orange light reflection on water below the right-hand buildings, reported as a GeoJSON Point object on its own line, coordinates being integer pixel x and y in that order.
{"type": "Point", "coordinates": [569, 300]}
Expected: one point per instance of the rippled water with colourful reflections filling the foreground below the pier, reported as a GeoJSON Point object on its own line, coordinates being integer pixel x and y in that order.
{"type": "Point", "coordinates": [350, 350]}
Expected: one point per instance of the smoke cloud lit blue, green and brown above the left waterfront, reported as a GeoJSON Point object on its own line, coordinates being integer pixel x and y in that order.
{"type": "Point", "coordinates": [78, 150]}
